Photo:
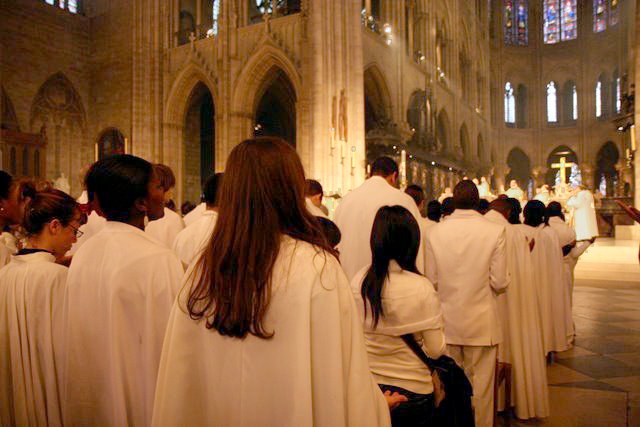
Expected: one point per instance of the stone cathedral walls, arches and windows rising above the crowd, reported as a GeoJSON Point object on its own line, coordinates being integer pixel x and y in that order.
{"type": "Point", "coordinates": [496, 88]}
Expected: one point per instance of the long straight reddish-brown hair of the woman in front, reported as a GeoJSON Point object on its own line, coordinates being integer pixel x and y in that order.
{"type": "Point", "coordinates": [261, 199]}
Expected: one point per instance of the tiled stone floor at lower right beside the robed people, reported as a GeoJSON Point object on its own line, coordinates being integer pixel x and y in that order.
{"type": "Point", "coordinates": [597, 383]}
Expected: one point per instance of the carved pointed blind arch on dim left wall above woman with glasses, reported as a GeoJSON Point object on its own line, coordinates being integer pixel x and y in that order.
{"type": "Point", "coordinates": [58, 106]}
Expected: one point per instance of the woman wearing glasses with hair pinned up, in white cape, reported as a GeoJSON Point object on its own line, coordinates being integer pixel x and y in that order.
{"type": "Point", "coordinates": [32, 288]}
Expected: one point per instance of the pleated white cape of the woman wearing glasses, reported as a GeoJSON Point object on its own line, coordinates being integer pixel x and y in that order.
{"type": "Point", "coordinates": [32, 290]}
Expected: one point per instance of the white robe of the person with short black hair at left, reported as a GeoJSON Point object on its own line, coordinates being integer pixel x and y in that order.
{"type": "Point", "coordinates": [120, 290]}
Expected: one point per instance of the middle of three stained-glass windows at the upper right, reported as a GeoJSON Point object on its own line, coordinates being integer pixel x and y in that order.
{"type": "Point", "coordinates": [560, 20]}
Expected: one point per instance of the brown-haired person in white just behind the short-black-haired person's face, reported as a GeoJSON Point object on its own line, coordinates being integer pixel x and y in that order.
{"type": "Point", "coordinates": [165, 229]}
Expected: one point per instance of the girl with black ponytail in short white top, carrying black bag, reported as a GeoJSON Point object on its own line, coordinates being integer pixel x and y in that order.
{"type": "Point", "coordinates": [395, 299]}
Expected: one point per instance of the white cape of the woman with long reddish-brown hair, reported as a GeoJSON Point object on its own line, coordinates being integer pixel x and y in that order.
{"type": "Point", "coordinates": [313, 372]}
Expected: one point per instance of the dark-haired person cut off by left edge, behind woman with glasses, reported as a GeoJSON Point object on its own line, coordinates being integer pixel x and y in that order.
{"type": "Point", "coordinates": [14, 195]}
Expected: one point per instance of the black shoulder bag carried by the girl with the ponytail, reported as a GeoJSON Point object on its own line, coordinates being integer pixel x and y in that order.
{"type": "Point", "coordinates": [452, 389]}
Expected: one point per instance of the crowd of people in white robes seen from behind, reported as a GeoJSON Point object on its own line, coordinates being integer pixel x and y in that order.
{"type": "Point", "coordinates": [256, 309]}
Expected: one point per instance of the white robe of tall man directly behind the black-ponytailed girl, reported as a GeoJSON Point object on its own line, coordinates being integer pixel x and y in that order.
{"type": "Point", "coordinates": [355, 215]}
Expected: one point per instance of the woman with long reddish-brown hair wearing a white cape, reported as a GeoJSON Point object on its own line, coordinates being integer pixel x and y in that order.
{"type": "Point", "coordinates": [287, 348]}
